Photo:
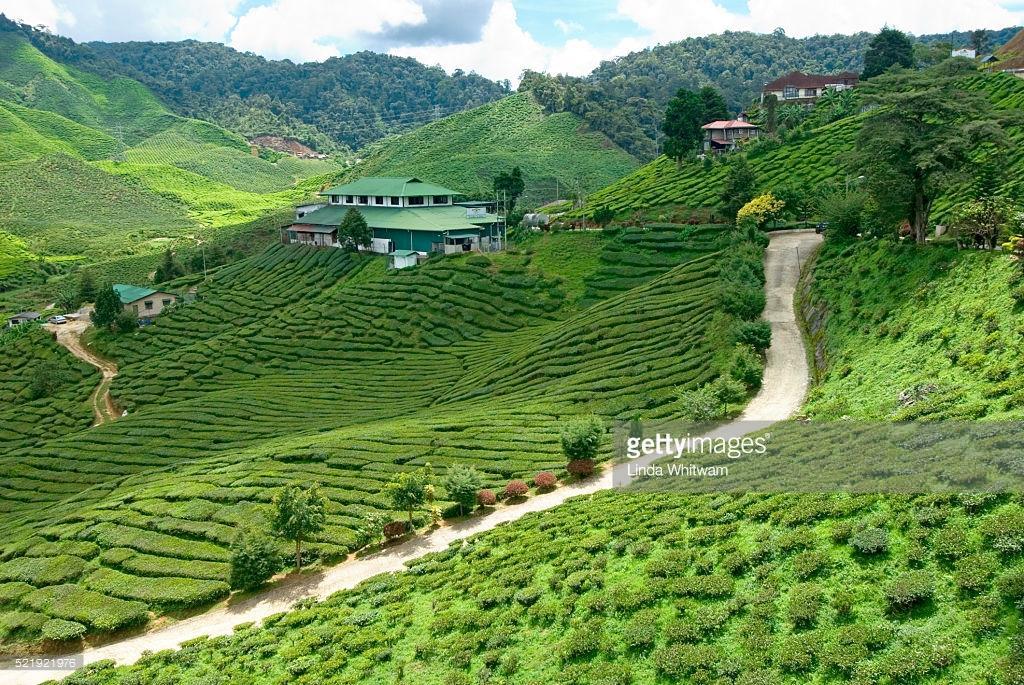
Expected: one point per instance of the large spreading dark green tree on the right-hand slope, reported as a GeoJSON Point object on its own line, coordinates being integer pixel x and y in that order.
{"type": "Point", "coordinates": [924, 139]}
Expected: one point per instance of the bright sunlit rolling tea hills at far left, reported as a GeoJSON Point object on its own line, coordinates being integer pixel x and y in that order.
{"type": "Point", "coordinates": [71, 140]}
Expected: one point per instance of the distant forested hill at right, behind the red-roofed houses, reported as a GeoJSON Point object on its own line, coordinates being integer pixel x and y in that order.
{"type": "Point", "coordinates": [625, 99]}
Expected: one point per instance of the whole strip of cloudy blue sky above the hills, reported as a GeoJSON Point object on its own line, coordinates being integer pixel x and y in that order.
{"type": "Point", "coordinates": [496, 38]}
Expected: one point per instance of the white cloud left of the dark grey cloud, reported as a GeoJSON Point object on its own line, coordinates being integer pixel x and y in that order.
{"type": "Point", "coordinates": [309, 30]}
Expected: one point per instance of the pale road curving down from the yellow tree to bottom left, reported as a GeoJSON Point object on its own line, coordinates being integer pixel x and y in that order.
{"type": "Point", "coordinates": [786, 384]}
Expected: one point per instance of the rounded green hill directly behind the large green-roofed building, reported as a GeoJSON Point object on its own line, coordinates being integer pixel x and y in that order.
{"type": "Point", "coordinates": [466, 151]}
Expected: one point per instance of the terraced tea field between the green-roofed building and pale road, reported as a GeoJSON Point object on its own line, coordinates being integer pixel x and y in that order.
{"type": "Point", "coordinates": [314, 365]}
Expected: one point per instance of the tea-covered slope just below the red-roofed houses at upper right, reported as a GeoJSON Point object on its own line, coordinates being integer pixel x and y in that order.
{"type": "Point", "coordinates": [806, 161]}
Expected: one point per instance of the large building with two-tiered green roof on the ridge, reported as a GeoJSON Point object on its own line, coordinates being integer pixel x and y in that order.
{"type": "Point", "coordinates": [406, 216]}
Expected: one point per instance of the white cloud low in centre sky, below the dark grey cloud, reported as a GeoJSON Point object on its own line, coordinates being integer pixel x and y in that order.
{"type": "Point", "coordinates": [505, 50]}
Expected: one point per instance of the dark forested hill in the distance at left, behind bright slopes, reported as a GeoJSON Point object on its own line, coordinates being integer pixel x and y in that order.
{"type": "Point", "coordinates": [344, 102]}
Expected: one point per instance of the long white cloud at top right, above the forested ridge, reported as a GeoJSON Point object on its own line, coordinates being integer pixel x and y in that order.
{"type": "Point", "coordinates": [673, 20]}
